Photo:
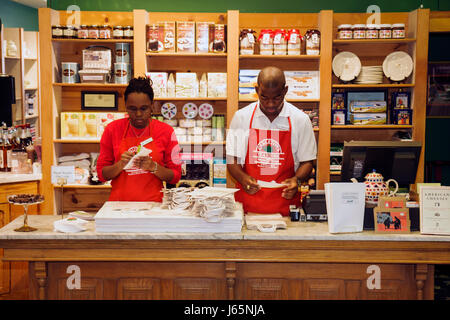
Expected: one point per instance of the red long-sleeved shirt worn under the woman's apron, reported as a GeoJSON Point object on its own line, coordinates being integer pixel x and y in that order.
{"type": "Point", "coordinates": [162, 134]}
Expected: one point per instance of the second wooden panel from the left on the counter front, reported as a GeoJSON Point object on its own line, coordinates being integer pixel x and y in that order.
{"type": "Point", "coordinates": [138, 289]}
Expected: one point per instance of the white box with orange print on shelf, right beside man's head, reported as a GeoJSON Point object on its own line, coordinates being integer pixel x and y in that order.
{"type": "Point", "coordinates": [302, 84]}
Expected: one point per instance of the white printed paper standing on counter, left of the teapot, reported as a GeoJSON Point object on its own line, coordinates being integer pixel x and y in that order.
{"type": "Point", "coordinates": [345, 206]}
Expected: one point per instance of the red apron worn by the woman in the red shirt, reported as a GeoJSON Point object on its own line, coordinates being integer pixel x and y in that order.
{"type": "Point", "coordinates": [136, 184]}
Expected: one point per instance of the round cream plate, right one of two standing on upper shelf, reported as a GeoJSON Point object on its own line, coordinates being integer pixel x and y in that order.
{"type": "Point", "coordinates": [398, 65]}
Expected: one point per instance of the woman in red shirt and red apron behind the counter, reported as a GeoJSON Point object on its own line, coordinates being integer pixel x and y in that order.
{"type": "Point", "coordinates": [120, 142]}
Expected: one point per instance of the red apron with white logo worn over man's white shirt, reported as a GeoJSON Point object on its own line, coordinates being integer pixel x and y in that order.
{"type": "Point", "coordinates": [269, 157]}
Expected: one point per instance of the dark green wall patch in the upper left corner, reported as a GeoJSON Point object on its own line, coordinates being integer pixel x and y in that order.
{"type": "Point", "coordinates": [15, 15]}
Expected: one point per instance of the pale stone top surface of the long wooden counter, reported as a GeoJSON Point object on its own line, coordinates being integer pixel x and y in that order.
{"type": "Point", "coordinates": [295, 231]}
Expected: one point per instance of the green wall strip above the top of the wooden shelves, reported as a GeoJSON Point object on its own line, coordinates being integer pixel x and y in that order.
{"type": "Point", "coordinates": [249, 5]}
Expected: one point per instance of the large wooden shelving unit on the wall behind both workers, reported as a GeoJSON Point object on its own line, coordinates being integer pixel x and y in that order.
{"type": "Point", "coordinates": [58, 97]}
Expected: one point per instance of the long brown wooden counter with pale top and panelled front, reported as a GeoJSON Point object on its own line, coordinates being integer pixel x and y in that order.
{"type": "Point", "coordinates": [302, 262]}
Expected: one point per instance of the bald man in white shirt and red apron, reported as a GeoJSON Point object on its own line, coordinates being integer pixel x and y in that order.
{"type": "Point", "coordinates": [270, 140]}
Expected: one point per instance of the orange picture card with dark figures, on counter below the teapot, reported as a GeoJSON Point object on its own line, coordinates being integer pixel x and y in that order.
{"type": "Point", "coordinates": [388, 220]}
